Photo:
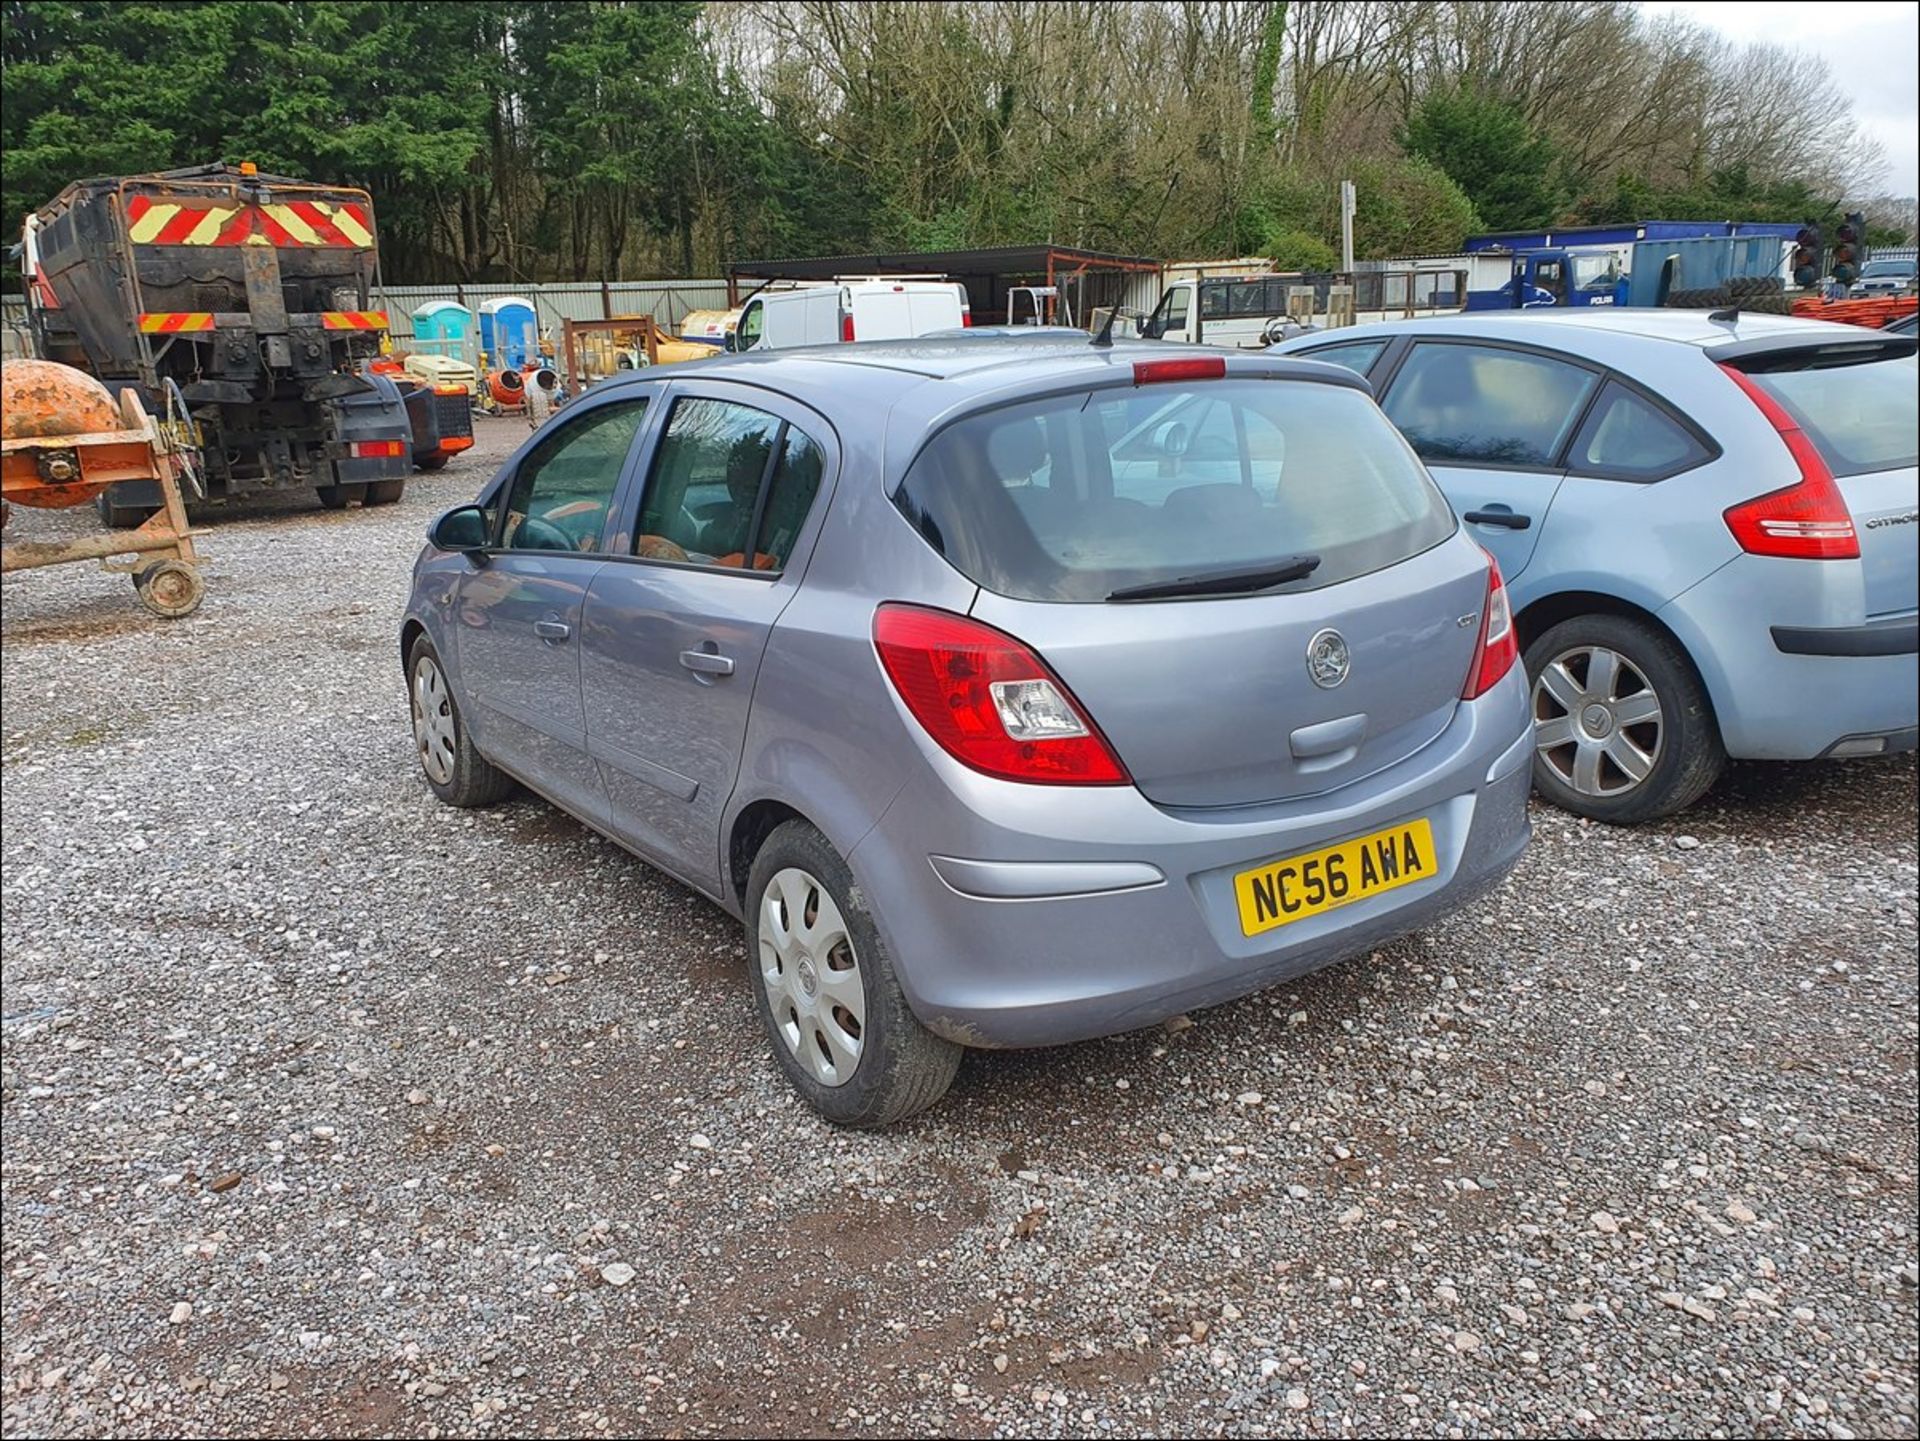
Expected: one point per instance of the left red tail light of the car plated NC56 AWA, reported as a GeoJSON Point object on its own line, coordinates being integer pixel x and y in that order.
{"type": "Point", "coordinates": [988, 701]}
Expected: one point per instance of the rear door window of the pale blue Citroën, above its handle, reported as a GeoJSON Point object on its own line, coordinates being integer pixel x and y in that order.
{"type": "Point", "coordinates": [1481, 406]}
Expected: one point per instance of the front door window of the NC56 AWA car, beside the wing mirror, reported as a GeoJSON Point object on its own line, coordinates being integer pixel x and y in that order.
{"type": "Point", "coordinates": [564, 486]}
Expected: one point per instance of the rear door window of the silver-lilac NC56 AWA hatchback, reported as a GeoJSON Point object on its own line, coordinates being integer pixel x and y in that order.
{"type": "Point", "coordinates": [706, 492]}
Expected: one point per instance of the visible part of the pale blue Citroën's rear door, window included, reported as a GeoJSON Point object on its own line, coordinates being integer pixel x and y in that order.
{"type": "Point", "coordinates": [1493, 427]}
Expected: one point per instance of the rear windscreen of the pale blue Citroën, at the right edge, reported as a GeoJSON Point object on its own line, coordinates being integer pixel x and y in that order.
{"type": "Point", "coordinates": [1861, 415]}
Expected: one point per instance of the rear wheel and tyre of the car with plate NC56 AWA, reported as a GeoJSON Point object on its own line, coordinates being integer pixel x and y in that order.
{"type": "Point", "coordinates": [813, 945]}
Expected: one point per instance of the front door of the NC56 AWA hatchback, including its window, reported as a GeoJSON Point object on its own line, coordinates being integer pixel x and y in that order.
{"type": "Point", "coordinates": [519, 609]}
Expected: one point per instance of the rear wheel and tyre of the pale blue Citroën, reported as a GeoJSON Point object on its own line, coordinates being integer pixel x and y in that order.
{"type": "Point", "coordinates": [1623, 728]}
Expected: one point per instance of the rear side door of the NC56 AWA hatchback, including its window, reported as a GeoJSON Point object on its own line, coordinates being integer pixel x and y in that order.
{"type": "Point", "coordinates": [673, 634]}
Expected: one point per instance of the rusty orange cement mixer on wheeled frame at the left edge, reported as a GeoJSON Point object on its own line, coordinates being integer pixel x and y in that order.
{"type": "Point", "coordinates": [62, 442]}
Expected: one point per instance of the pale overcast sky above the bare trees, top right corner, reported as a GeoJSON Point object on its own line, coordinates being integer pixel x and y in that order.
{"type": "Point", "coordinates": [1873, 51]}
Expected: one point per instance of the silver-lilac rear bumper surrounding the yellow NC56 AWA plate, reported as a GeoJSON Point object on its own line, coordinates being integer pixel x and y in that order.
{"type": "Point", "coordinates": [1030, 916]}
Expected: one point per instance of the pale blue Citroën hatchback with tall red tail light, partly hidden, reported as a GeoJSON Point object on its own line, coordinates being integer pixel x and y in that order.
{"type": "Point", "coordinates": [1706, 523]}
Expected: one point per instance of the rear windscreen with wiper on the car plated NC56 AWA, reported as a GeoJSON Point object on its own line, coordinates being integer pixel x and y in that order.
{"type": "Point", "coordinates": [1082, 496]}
